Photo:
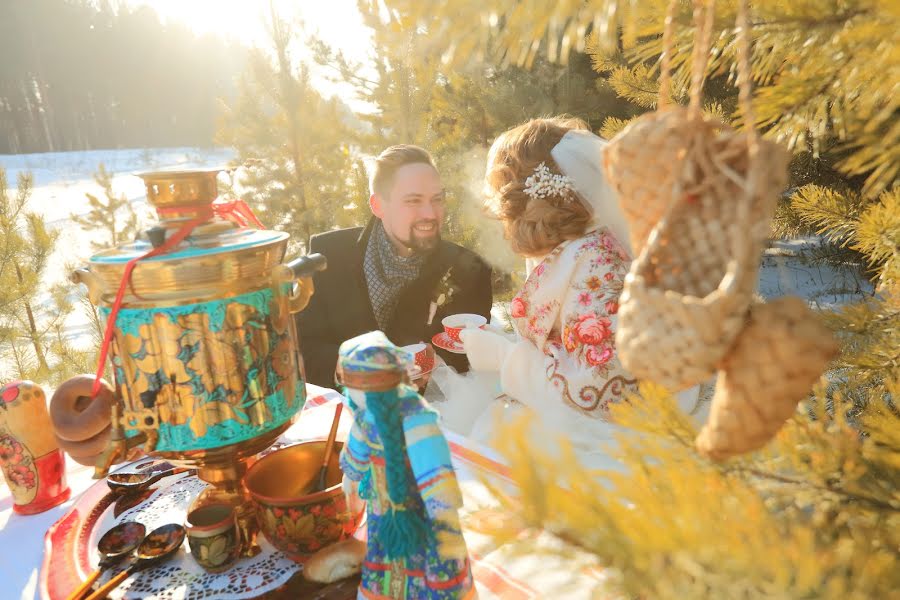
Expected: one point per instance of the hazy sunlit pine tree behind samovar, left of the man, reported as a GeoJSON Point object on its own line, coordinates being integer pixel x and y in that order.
{"type": "Point", "coordinates": [295, 143]}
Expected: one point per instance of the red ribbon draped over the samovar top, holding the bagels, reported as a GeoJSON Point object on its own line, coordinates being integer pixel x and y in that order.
{"type": "Point", "coordinates": [236, 211]}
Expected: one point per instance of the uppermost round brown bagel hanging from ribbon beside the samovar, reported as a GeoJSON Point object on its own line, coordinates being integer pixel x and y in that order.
{"type": "Point", "coordinates": [75, 416]}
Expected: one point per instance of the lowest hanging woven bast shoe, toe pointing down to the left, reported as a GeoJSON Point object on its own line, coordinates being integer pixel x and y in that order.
{"type": "Point", "coordinates": [773, 365]}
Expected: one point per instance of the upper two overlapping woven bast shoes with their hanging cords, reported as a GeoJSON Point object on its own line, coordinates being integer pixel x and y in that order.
{"type": "Point", "coordinates": [708, 212]}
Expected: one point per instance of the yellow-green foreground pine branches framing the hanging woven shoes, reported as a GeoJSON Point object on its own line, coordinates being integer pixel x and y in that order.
{"type": "Point", "coordinates": [816, 514]}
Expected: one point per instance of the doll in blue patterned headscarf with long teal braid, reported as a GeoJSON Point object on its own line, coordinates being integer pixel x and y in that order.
{"type": "Point", "coordinates": [399, 456]}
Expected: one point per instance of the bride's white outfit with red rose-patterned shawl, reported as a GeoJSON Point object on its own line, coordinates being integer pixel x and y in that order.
{"type": "Point", "coordinates": [562, 366]}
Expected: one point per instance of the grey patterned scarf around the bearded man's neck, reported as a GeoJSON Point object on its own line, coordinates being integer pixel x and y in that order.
{"type": "Point", "coordinates": [387, 273]}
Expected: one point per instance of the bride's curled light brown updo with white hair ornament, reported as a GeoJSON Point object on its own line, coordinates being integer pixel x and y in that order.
{"type": "Point", "coordinates": [533, 225]}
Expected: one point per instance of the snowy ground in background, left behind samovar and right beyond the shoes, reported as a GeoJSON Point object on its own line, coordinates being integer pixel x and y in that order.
{"type": "Point", "coordinates": [62, 179]}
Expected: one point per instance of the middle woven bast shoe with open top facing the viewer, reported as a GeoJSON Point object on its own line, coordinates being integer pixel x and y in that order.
{"type": "Point", "coordinates": [686, 296]}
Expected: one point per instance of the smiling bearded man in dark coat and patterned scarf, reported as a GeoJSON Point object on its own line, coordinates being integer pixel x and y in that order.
{"type": "Point", "coordinates": [396, 274]}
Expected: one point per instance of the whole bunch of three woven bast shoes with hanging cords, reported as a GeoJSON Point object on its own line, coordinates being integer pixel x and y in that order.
{"type": "Point", "coordinates": [700, 197]}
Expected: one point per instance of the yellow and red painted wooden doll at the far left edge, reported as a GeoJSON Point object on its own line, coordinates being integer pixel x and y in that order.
{"type": "Point", "coordinates": [30, 458]}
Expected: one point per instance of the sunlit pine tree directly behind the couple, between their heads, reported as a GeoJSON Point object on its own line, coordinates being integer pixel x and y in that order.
{"type": "Point", "coordinates": [456, 113]}
